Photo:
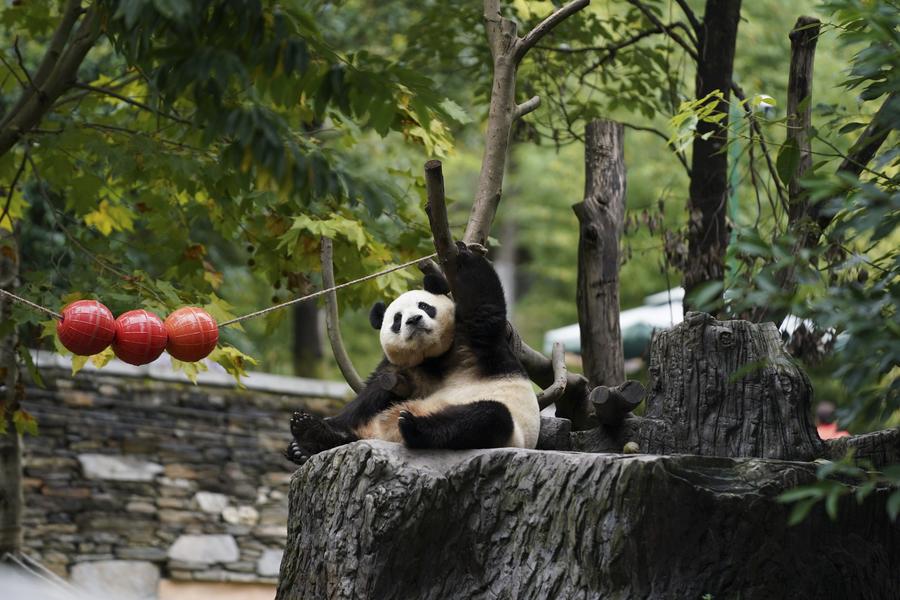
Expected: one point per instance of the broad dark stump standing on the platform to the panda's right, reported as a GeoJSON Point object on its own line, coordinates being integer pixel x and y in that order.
{"type": "Point", "coordinates": [727, 388]}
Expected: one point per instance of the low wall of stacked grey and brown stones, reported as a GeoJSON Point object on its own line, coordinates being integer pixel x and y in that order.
{"type": "Point", "coordinates": [137, 477]}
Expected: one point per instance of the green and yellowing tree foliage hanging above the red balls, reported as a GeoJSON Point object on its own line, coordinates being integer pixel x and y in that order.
{"type": "Point", "coordinates": [195, 135]}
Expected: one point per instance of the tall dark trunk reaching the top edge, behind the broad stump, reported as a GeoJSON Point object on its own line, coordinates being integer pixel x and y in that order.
{"type": "Point", "coordinates": [707, 230]}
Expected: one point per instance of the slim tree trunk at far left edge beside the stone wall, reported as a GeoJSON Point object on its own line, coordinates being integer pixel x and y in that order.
{"type": "Point", "coordinates": [11, 498]}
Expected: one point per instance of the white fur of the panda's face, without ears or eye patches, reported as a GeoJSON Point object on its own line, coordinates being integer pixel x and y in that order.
{"type": "Point", "coordinates": [432, 337]}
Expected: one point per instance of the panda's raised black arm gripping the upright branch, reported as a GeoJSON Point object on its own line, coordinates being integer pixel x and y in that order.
{"type": "Point", "coordinates": [480, 304]}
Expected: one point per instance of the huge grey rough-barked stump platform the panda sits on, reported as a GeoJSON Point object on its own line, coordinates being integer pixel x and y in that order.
{"type": "Point", "coordinates": [374, 520]}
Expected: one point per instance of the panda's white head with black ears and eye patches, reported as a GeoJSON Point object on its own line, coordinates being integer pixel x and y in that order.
{"type": "Point", "coordinates": [417, 325]}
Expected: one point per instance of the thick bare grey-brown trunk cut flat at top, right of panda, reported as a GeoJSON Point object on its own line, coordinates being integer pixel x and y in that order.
{"type": "Point", "coordinates": [601, 219]}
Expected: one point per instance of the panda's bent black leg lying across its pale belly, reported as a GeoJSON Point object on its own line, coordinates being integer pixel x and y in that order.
{"type": "Point", "coordinates": [482, 424]}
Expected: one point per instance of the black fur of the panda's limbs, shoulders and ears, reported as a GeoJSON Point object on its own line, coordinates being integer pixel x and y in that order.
{"type": "Point", "coordinates": [480, 332]}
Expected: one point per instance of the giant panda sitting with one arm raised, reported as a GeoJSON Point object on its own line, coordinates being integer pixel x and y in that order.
{"type": "Point", "coordinates": [468, 390]}
